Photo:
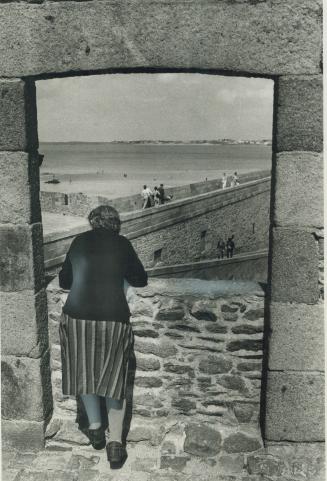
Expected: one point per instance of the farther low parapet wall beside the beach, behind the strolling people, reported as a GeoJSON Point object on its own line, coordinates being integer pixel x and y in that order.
{"type": "Point", "coordinates": [80, 204]}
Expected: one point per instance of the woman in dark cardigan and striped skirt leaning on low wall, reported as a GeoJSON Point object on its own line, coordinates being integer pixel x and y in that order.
{"type": "Point", "coordinates": [95, 333]}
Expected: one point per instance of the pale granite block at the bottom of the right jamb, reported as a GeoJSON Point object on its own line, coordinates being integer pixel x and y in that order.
{"type": "Point", "coordinates": [285, 390]}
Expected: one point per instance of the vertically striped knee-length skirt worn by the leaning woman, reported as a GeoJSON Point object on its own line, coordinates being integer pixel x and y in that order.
{"type": "Point", "coordinates": [94, 356]}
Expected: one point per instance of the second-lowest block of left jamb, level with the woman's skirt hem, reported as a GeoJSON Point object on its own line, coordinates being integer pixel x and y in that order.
{"type": "Point", "coordinates": [26, 388]}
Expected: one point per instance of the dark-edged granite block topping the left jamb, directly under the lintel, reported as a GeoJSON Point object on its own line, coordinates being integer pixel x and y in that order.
{"type": "Point", "coordinates": [18, 120]}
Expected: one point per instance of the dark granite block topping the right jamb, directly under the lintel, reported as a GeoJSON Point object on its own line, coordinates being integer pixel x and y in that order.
{"type": "Point", "coordinates": [299, 113]}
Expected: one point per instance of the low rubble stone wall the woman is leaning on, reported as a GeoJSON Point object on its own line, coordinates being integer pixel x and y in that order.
{"type": "Point", "coordinates": [194, 389]}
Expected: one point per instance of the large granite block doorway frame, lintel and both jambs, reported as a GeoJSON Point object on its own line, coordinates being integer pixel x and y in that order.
{"type": "Point", "coordinates": [281, 41]}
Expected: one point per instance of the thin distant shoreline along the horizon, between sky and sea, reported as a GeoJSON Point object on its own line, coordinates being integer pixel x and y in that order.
{"type": "Point", "coordinates": [172, 142]}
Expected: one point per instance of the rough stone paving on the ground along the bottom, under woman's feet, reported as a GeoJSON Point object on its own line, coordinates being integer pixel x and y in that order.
{"type": "Point", "coordinates": [82, 463]}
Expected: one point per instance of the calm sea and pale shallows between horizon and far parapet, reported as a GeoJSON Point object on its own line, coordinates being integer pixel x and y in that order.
{"type": "Point", "coordinates": [117, 170]}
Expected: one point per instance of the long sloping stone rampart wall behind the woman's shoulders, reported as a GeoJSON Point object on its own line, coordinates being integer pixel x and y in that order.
{"type": "Point", "coordinates": [187, 230]}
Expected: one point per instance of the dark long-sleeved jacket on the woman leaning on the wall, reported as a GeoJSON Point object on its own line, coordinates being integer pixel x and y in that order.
{"type": "Point", "coordinates": [94, 270]}
